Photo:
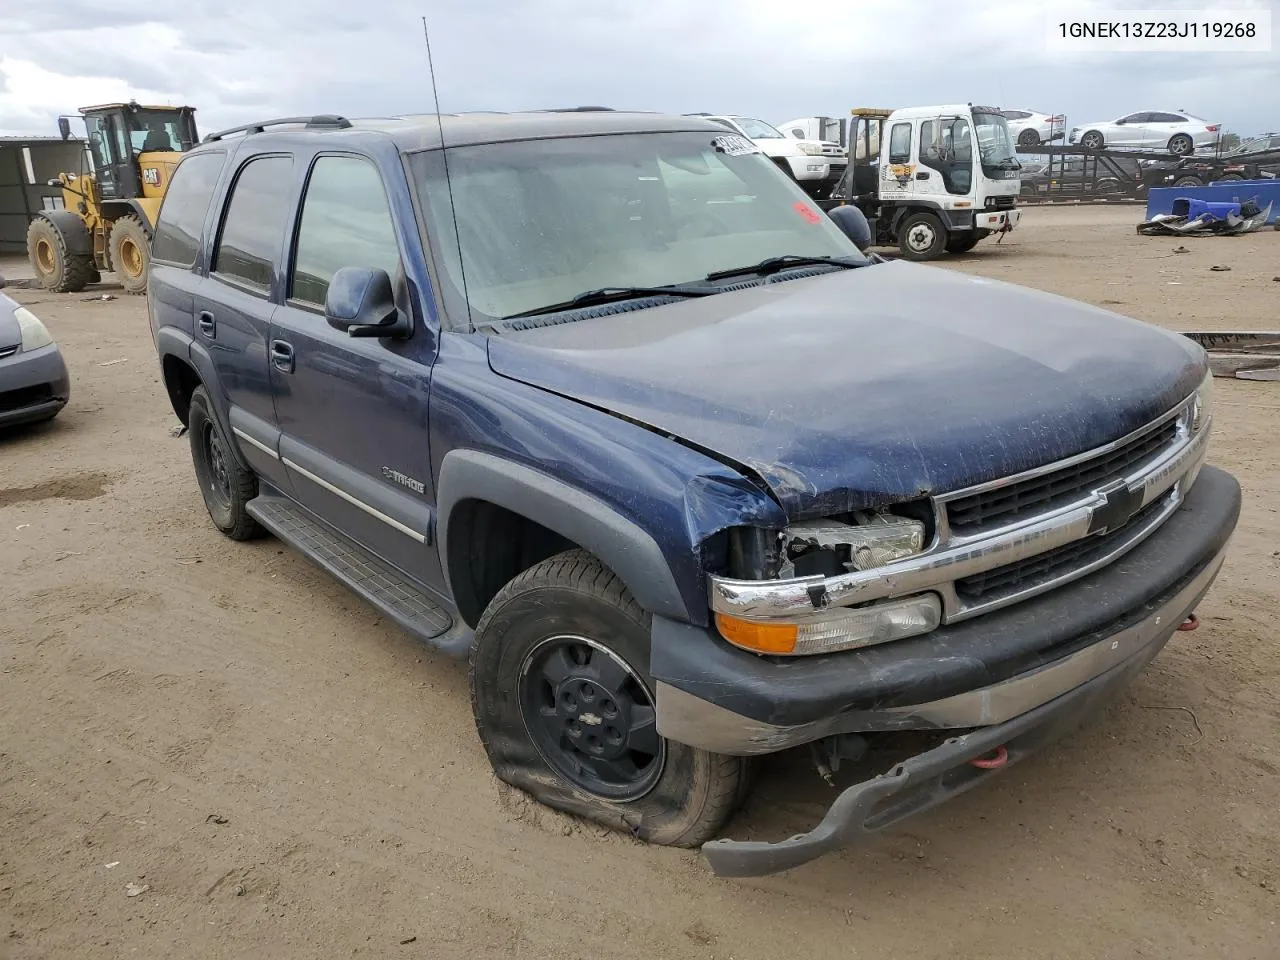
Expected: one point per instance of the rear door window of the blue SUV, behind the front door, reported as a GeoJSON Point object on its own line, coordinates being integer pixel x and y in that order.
{"type": "Point", "coordinates": [254, 226]}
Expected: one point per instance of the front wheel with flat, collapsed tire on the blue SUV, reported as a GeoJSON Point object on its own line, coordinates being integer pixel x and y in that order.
{"type": "Point", "coordinates": [565, 708]}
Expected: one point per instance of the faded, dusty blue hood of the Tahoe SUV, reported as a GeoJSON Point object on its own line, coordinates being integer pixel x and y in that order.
{"type": "Point", "coordinates": [870, 386]}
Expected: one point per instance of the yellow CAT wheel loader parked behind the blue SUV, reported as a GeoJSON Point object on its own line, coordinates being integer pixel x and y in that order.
{"type": "Point", "coordinates": [109, 214]}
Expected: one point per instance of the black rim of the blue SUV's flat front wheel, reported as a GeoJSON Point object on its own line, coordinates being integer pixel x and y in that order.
{"type": "Point", "coordinates": [591, 717]}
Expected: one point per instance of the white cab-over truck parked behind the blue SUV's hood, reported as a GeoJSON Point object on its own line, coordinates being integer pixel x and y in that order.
{"type": "Point", "coordinates": [931, 180]}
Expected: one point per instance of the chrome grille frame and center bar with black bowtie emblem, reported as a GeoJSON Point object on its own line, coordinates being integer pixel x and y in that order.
{"type": "Point", "coordinates": [1165, 481]}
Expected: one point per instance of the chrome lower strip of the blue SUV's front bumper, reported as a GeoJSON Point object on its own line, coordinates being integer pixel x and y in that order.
{"type": "Point", "coordinates": [691, 720]}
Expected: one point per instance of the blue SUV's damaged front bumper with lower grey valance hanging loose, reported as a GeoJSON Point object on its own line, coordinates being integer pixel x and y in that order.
{"type": "Point", "coordinates": [1023, 678]}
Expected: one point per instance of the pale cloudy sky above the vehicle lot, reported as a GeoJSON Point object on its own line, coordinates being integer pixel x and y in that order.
{"type": "Point", "coordinates": [239, 61]}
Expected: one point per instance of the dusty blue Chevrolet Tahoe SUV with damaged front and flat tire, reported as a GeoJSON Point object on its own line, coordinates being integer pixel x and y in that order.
{"type": "Point", "coordinates": [602, 403]}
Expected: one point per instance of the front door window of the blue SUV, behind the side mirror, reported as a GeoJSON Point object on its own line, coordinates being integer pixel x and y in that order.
{"type": "Point", "coordinates": [346, 222]}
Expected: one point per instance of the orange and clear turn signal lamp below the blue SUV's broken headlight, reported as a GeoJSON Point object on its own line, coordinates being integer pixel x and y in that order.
{"type": "Point", "coordinates": [835, 630]}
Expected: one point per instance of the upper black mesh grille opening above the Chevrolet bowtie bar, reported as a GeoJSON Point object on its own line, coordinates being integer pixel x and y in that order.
{"type": "Point", "coordinates": [1046, 492]}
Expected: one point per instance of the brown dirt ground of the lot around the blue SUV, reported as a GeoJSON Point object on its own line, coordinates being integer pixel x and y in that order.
{"type": "Point", "coordinates": [285, 775]}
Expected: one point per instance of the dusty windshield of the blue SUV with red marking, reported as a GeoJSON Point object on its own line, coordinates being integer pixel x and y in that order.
{"type": "Point", "coordinates": [541, 222]}
